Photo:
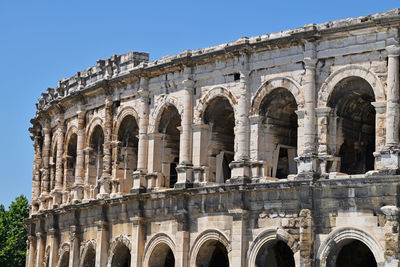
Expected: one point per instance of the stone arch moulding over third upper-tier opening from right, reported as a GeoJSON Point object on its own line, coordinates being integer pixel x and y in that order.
{"type": "Point", "coordinates": [208, 97]}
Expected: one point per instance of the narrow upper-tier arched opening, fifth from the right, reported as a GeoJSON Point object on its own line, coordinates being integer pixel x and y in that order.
{"type": "Point", "coordinates": [125, 154]}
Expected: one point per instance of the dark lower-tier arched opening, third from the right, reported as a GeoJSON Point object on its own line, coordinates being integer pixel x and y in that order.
{"type": "Point", "coordinates": [212, 254]}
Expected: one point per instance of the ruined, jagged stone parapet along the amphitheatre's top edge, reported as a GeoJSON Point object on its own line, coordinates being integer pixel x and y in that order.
{"type": "Point", "coordinates": [135, 63]}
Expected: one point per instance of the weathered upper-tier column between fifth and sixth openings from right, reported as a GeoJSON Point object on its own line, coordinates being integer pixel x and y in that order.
{"type": "Point", "coordinates": [105, 179]}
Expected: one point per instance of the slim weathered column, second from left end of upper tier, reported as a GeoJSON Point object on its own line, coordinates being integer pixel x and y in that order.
{"type": "Point", "coordinates": [45, 185]}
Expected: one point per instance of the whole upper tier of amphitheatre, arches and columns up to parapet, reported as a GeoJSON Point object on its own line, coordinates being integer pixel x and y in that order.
{"type": "Point", "coordinates": [317, 102]}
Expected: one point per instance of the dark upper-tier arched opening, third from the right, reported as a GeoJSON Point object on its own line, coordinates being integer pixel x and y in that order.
{"type": "Point", "coordinates": [220, 117]}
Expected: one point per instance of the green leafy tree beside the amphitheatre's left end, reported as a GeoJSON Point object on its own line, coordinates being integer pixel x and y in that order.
{"type": "Point", "coordinates": [12, 233]}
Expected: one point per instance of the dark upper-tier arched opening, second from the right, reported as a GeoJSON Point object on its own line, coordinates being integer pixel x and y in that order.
{"type": "Point", "coordinates": [280, 132]}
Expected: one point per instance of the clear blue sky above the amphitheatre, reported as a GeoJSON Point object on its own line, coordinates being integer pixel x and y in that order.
{"type": "Point", "coordinates": [44, 41]}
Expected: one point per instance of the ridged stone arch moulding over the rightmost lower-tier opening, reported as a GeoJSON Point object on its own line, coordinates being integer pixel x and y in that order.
{"type": "Point", "coordinates": [342, 234]}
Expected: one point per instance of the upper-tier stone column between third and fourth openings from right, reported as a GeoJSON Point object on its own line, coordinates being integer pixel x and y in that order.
{"type": "Point", "coordinates": [185, 167]}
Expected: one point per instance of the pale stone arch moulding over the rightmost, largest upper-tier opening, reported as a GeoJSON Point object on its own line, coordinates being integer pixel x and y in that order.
{"type": "Point", "coordinates": [350, 71]}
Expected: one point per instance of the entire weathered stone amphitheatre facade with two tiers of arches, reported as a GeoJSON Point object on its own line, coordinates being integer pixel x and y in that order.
{"type": "Point", "coordinates": [276, 150]}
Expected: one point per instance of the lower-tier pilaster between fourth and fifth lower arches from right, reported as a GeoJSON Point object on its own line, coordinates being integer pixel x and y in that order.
{"type": "Point", "coordinates": [137, 241]}
